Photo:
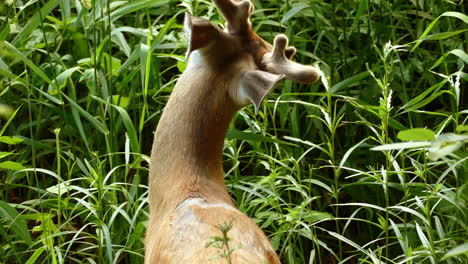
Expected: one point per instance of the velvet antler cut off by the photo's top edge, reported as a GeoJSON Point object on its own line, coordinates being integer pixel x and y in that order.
{"type": "Point", "coordinates": [237, 14]}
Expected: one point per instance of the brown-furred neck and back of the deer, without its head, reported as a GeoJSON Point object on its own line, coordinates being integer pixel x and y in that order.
{"type": "Point", "coordinates": [186, 164]}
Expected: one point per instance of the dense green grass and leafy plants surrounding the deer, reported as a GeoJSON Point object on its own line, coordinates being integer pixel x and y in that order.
{"type": "Point", "coordinates": [83, 84]}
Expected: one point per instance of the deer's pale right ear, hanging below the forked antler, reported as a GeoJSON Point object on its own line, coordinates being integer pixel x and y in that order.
{"type": "Point", "coordinates": [254, 85]}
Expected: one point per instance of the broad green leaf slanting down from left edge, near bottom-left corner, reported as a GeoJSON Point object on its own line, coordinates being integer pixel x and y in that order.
{"type": "Point", "coordinates": [17, 224]}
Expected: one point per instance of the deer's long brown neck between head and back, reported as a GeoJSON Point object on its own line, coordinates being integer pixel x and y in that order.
{"type": "Point", "coordinates": [186, 159]}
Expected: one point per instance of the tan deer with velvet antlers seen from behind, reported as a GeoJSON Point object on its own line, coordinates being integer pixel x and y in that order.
{"type": "Point", "coordinates": [227, 69]}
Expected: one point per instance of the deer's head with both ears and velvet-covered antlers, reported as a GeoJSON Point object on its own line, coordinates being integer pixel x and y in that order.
{"type": "Point", "coordinates": [254, 65]}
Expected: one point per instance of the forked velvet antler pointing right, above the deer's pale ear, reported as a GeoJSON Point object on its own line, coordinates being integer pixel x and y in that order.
{"type": "Point", "coordinates": [277, 61]}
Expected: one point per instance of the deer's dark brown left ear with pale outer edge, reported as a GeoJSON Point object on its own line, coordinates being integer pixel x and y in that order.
{"type": "Point", "coordinates": [200, 32]}
